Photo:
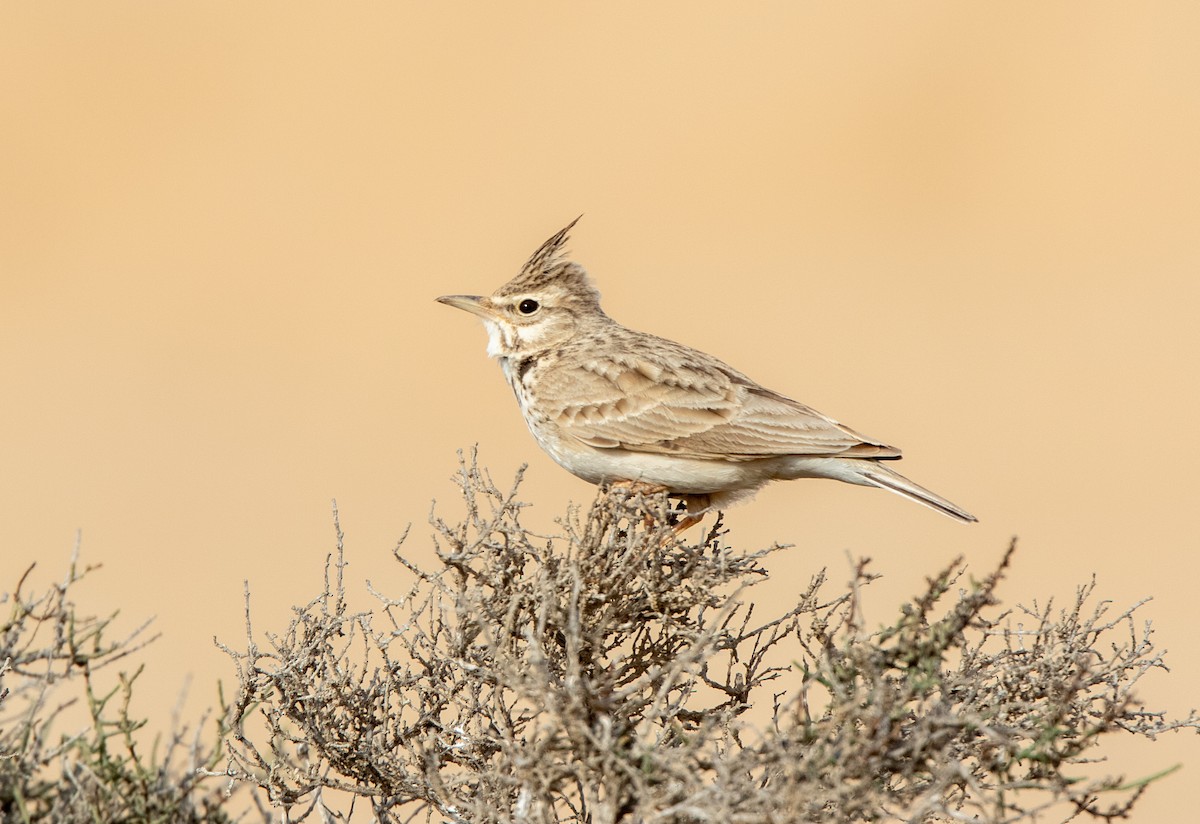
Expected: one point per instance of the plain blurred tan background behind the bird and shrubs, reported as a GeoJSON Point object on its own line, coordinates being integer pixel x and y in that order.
{"type": "Point", "coordinates": [967, 230]}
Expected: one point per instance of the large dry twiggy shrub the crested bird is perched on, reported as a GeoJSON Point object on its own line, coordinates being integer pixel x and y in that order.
{"type": "Point", "coordinates": [610, 675]}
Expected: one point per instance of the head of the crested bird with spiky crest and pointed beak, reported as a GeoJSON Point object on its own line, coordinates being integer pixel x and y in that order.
{"type": "Point", "coordinates": [538, 310]}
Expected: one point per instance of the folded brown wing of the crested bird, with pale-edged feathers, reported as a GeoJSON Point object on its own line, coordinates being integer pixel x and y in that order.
{"type": "Point", "coordinates": [693, 407]}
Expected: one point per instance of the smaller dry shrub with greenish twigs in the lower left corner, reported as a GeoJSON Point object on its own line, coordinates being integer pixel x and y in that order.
{"type": "Point", "coordinates": [70, 751]}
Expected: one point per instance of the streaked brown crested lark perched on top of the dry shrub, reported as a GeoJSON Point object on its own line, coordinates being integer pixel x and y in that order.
{"type": "Point", "coordinates": [622, 408]}
